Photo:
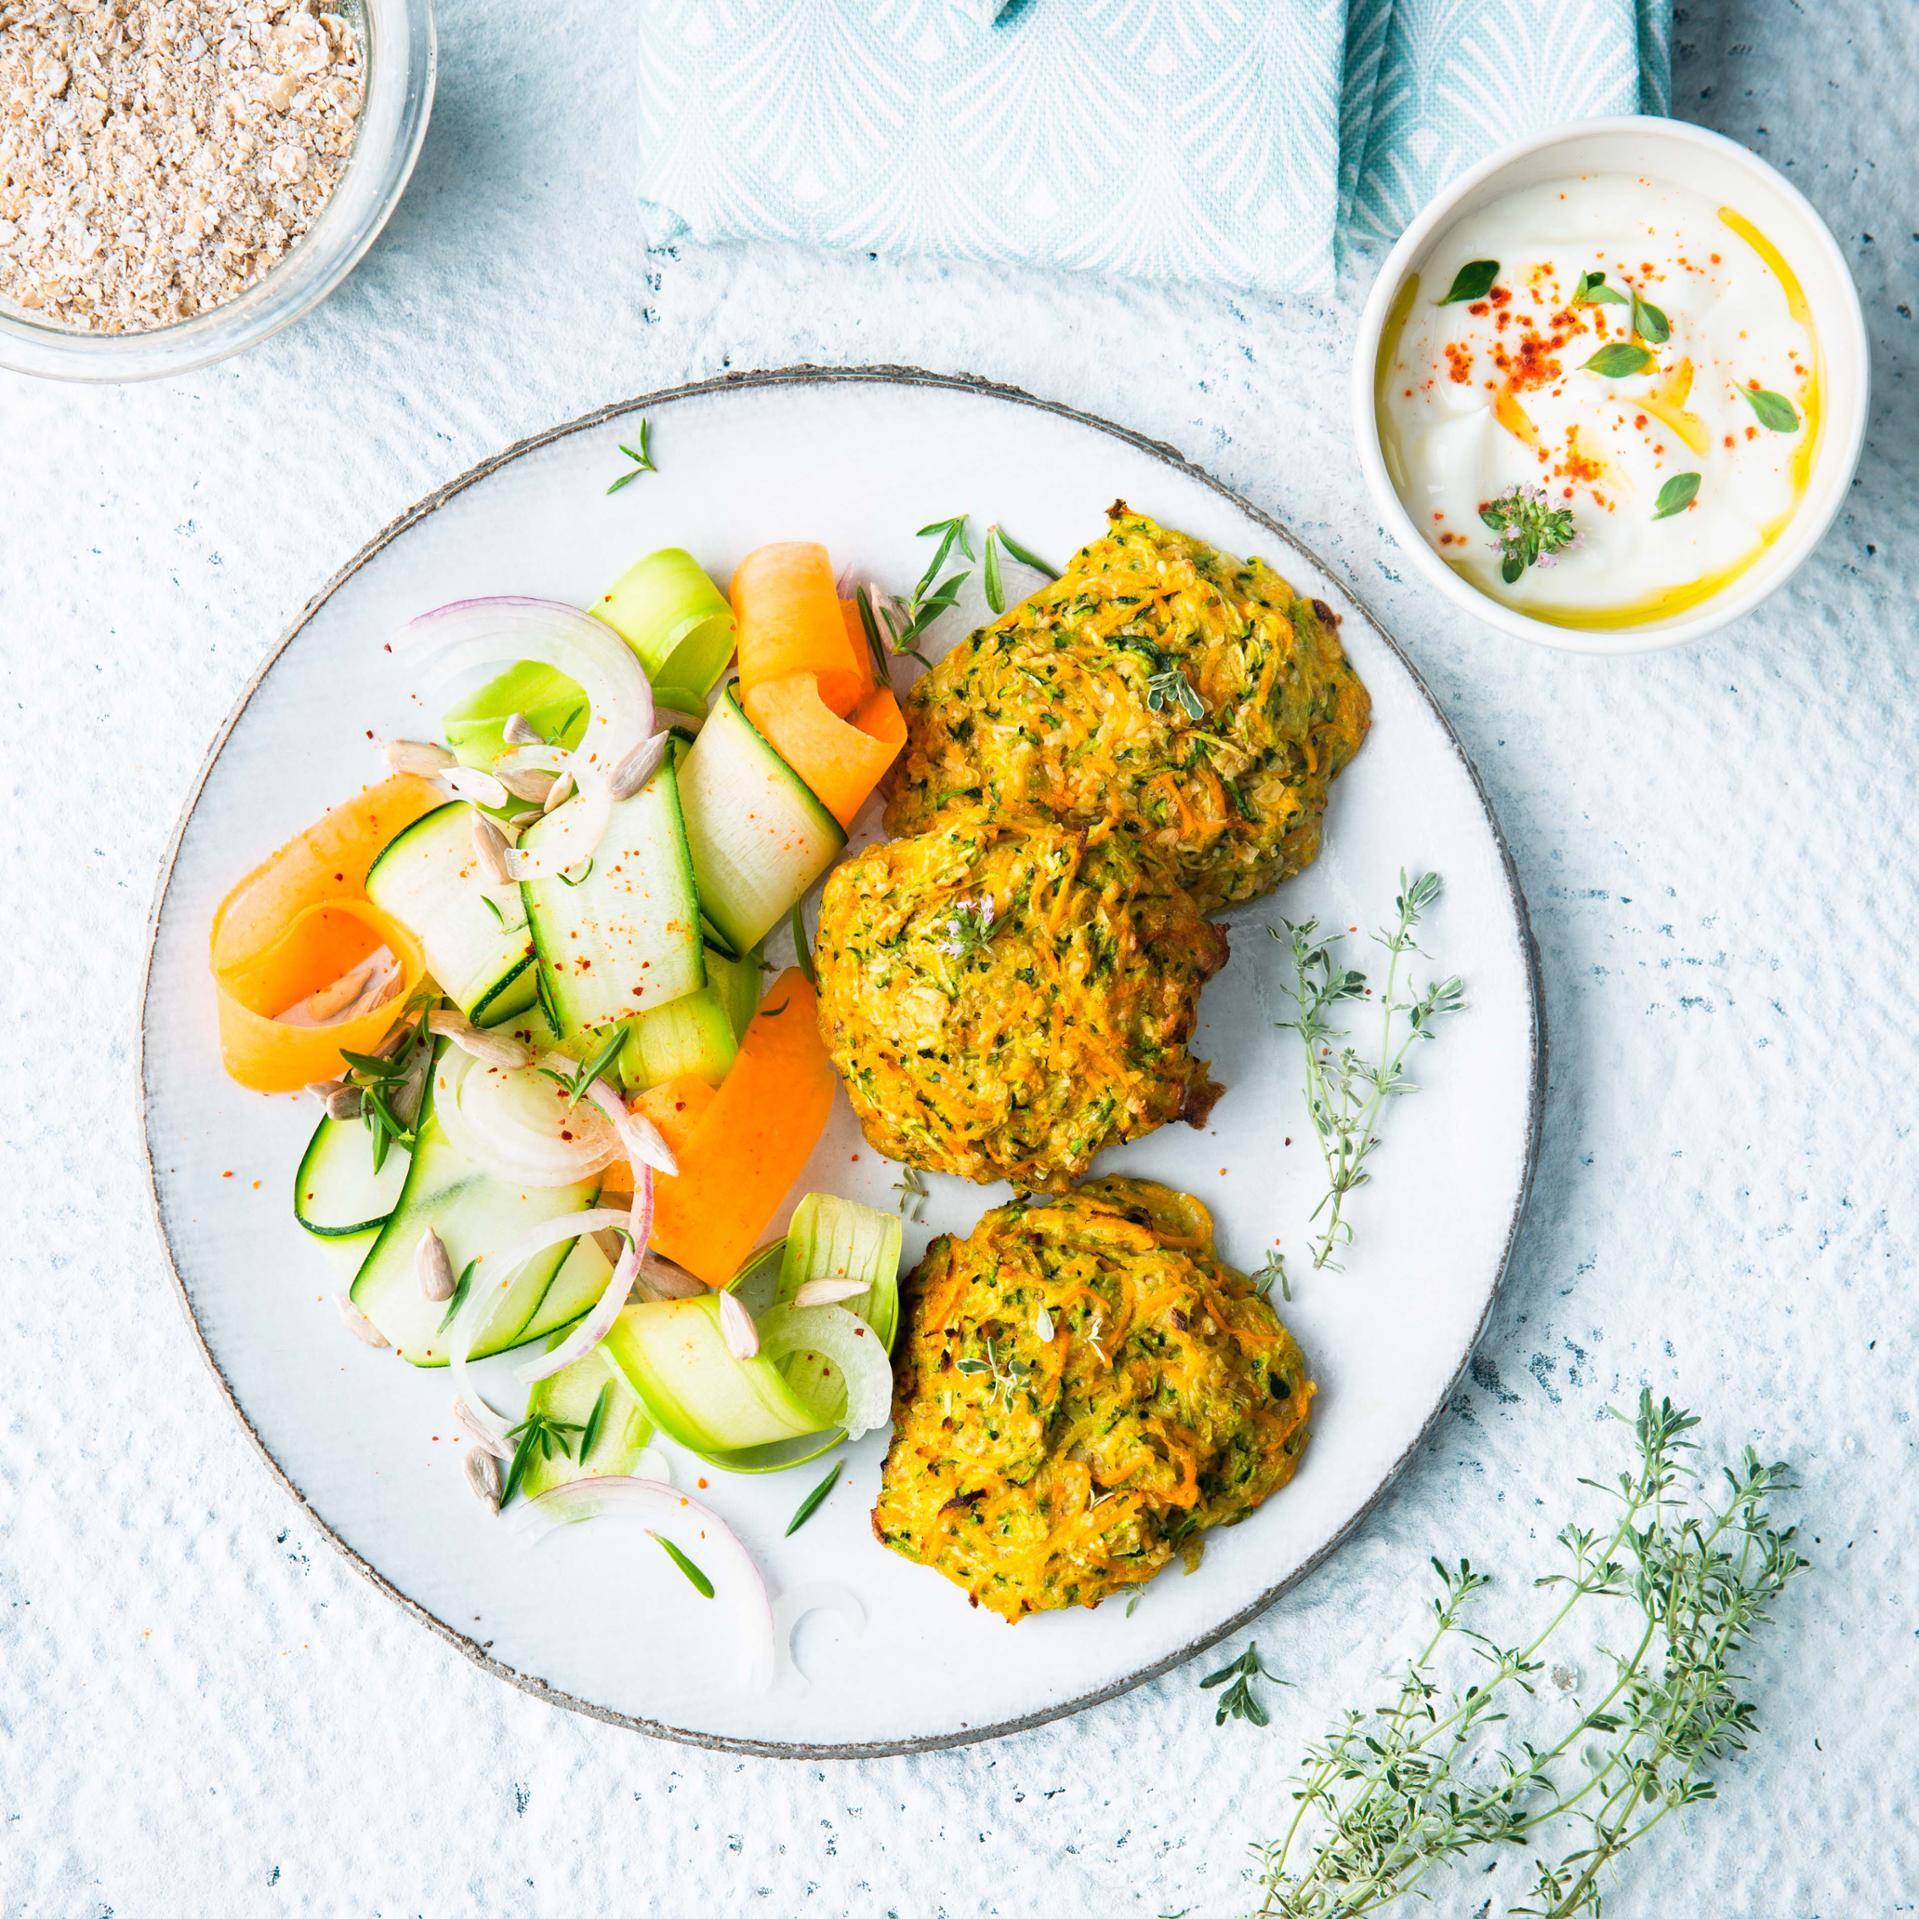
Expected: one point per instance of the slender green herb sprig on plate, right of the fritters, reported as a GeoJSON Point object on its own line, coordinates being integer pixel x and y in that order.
{"type": "Point", "coordinates": [1348, 1093]}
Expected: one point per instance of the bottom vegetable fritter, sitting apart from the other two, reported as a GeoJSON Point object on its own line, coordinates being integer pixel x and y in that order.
{"type": "Point", "coordinates": [1081, 1390]}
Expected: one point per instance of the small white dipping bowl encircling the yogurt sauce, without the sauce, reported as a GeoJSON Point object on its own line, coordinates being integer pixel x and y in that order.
{"type": "Point", "coordinates": [1707, 164]}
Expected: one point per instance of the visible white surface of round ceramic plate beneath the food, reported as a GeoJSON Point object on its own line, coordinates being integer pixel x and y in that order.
{"type": "Point", "coordinates": [598, 1619]}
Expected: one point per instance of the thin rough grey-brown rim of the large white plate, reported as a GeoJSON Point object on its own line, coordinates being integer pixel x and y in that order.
{"type": "Point", "coordinates": [820, 375]}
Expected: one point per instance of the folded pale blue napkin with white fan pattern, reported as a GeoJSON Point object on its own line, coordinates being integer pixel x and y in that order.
{"type": "Point", "coordinates": [1221, 141]}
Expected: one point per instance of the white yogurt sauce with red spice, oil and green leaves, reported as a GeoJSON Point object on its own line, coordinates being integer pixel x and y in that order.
{"type": "Point", "coordinates": [1479, 396]}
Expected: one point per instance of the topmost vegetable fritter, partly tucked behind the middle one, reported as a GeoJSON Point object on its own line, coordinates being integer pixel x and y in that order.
{"type": "Point", "coordinates": [1168, 686]}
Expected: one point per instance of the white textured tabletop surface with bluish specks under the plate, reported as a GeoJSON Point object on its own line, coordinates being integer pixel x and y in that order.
{"type": "Point", "coordinates": [202, 1711]}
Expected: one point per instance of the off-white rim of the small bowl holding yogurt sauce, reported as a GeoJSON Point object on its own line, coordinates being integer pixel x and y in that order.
{"type": "Point", "coordinates": [1847, 341]}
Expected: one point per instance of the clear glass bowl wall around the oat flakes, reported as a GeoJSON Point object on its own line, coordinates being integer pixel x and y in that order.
{"type": "Point", "coordinates": [400, 51]}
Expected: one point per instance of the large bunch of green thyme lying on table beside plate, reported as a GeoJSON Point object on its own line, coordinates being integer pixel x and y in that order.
{"type": "Point", "coordinates": [1674, 1596]}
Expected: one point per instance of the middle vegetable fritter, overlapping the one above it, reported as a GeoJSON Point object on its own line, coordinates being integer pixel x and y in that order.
{"type": "Point", "coordinates": [1008, 997]}
